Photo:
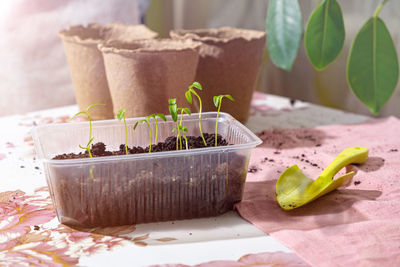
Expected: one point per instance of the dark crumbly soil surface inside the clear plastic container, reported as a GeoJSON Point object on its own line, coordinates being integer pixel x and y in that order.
{"type": "Point", "coordinates": [99, 149]}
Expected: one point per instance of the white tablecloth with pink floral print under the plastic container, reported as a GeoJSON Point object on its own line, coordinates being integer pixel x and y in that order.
{"type": "Point", "coordinates": [30, 233]}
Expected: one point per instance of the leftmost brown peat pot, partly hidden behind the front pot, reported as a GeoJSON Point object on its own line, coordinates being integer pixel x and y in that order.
{"type": "Point", "coordinates": [86, 62]}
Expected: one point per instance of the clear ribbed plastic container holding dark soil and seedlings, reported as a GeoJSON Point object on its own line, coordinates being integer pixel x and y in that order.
{"type": "Point", "coordinates": [150, 187]}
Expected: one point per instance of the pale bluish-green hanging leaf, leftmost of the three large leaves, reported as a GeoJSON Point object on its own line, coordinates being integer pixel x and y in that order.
{"type": "Point", "coordinates": [284, 28]}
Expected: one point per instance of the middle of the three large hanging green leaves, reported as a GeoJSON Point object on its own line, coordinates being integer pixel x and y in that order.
{"type": "Point", "coordinates": [325, 33]}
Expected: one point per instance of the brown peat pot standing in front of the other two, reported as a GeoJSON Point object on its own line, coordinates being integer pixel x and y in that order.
{"type": "Point", "coordinates": [143, 75]}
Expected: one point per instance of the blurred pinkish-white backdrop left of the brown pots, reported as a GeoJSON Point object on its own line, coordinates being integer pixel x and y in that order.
{"type": "Point", "coordinates": [34, 73]}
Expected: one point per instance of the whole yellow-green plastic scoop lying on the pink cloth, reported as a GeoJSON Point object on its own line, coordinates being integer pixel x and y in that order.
{"type": "Point", "coordinates": [293, 189]}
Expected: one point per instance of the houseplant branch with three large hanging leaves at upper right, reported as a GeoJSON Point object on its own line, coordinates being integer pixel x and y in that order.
{"type": "Point", "coordinates": [372, 69]}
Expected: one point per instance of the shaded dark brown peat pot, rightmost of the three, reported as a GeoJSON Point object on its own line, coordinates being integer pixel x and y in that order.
{"type": "Point", "coordinates": [230, 60]}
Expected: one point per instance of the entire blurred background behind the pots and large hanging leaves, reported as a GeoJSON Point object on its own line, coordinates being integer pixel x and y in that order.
{"type": "Point", "coordinates": [34, 73]}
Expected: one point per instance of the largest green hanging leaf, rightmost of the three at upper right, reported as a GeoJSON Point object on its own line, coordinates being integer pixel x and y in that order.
{"type": "Point", "coordinates": [372, 67]}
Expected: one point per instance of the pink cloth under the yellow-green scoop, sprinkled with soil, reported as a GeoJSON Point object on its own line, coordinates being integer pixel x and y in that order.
{"type": "Point", "coordinates": [357, 225]}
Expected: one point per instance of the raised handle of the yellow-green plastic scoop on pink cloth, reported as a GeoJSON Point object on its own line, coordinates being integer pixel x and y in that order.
{"type": "Point", "coordinates": [347, 156]}
